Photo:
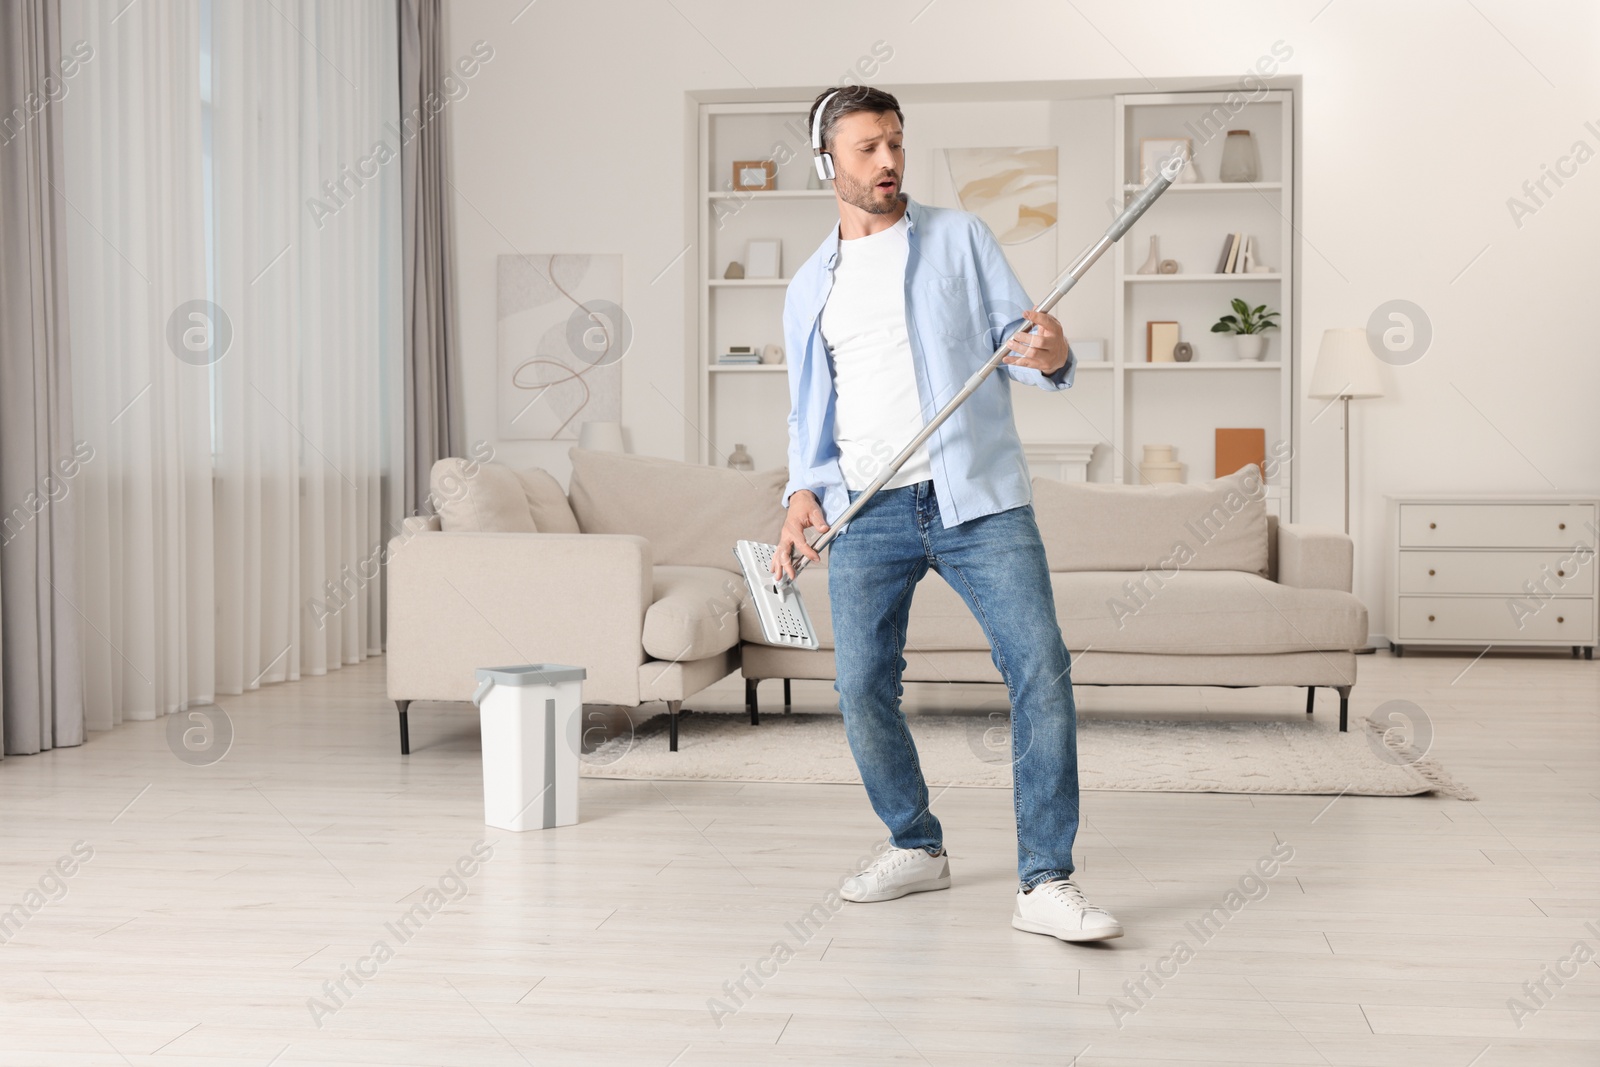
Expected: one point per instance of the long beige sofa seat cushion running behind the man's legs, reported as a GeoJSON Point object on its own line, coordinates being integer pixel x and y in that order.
{"type": "Point", "coordinates": [1202, 613]}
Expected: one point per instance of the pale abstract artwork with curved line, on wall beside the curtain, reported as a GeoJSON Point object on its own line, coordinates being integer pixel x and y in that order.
{"type": "Point", "coordinates": [561, 343]}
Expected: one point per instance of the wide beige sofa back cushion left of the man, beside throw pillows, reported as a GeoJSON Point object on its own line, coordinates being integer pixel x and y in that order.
{"type": "Point", "coordinates": [690, 514]}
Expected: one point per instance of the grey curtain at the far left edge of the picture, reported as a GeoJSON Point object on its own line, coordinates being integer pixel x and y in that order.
{"type": "Point", "coordinates": [41, 676]}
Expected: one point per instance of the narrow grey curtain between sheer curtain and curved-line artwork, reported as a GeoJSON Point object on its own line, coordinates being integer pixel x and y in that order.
{"type": "Point", "coordinates": [434, 414]}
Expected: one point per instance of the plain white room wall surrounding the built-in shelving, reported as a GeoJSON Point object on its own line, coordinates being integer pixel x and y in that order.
{"type": "Point", "coordinates": [1422, 121]}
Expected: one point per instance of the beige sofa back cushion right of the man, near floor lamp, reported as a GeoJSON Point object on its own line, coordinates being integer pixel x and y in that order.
{"type": "Point", "coordinates": [1210, 527]}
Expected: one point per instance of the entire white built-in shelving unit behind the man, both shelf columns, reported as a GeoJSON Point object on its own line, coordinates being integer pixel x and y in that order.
{"type": "Point", "coordinates": [1122, 402]}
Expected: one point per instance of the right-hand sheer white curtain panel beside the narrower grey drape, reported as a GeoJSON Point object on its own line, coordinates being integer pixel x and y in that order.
{"type": "Point", "coordinates": [306, 206]}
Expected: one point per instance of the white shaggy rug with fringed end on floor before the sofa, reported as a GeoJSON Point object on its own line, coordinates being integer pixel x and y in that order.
{"type": "Point", "coordinates": [1193, 757]}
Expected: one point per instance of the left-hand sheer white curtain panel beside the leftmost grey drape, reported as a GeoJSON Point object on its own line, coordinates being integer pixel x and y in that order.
{"type": "Point", "coordinates": [137, 252]}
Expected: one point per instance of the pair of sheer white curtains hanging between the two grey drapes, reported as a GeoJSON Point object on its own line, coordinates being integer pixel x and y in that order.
{"type": "Point", "coordinates": [233, 530]}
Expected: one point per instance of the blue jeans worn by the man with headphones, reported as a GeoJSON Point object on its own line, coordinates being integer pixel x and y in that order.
{"type": "Point", "coordinates": [998, 565]}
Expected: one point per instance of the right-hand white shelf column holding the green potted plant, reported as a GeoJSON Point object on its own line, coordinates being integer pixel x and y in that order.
{"type": "Point", "coordinates": [1191, 222]}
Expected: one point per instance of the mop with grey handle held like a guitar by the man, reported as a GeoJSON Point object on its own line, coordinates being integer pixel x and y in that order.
{"type": "Point", "coordinates": [778, 605]}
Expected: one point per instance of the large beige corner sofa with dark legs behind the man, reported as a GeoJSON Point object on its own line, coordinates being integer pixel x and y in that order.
{"type": "Point", "coordinates": [631, 575]}
